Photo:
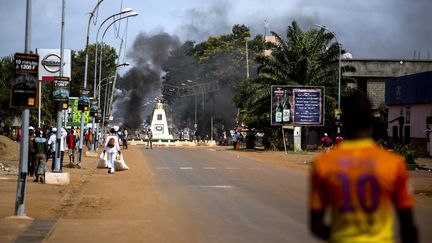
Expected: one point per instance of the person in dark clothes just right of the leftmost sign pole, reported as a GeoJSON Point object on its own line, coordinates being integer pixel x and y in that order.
{"type": "Point", "coordinates": [40, 156]}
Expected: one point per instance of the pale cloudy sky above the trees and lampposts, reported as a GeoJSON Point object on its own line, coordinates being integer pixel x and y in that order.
{"type": "Point", "coordinates": [367, 29]}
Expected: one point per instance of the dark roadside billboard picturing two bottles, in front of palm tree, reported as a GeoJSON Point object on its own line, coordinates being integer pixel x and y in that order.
{"type": "Point", "coordinates": [297, 105]}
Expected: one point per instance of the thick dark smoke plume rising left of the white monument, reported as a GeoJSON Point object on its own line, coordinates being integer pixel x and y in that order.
{"type": "Point", "coordinates": [148, 53]}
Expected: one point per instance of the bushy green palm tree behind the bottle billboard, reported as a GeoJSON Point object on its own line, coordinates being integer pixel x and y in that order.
{"type": "Point", "coordinates": [304, 59]}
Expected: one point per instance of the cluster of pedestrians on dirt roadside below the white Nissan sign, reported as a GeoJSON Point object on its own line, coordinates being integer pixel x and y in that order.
{"type": "Point", "coordinates": [43, 145]}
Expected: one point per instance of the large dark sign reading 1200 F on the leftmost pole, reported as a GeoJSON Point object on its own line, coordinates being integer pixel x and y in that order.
{"type": "Point", "coordinates": [25, 83]}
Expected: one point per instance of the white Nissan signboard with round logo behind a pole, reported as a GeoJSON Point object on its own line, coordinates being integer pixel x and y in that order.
{"type": "Point", "coordinates": [49, 63]}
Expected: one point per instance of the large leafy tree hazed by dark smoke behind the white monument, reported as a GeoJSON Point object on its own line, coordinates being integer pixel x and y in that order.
{"type": "Point", "coordinates": [220, 59]}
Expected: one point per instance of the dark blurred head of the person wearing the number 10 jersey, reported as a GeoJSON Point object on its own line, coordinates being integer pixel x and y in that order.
{"type": "Point", "coordinates": [356, 111]}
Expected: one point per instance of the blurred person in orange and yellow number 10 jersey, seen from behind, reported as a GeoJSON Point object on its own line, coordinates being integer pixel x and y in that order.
{"type": "Point", "coordinates": [360, 184]}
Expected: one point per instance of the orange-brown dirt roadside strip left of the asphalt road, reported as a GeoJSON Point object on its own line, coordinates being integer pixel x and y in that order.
{"type": "Point", "coordinates": [94, 207]}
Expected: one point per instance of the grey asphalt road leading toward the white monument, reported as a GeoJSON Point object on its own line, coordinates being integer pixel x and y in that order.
{"type": "Point", "coordinates": [231, 198]}
